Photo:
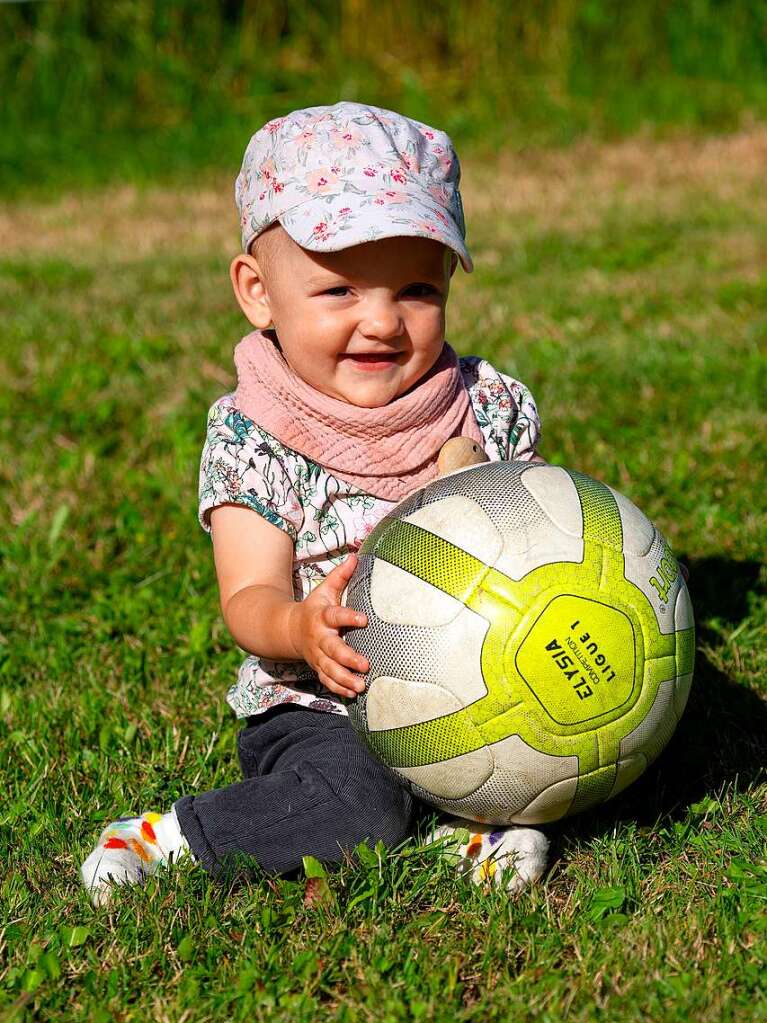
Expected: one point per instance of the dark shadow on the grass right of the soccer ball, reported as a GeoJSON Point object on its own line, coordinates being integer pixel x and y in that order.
{"type": "Point", "coordinates": [723, 737]}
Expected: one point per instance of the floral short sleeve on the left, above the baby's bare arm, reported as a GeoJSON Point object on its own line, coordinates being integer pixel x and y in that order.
{"type": "Point", "coordinates": [244, 465]}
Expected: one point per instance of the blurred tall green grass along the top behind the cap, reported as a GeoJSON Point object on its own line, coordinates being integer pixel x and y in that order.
{"type": "Point", "coordinates": [149, 90]}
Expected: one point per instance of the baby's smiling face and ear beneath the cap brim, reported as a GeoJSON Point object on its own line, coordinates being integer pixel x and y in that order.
{"type": "Point", "coordinates": [363, 325]}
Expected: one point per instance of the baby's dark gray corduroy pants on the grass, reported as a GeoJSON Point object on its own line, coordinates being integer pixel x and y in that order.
{"type": "Point", "coordinates": [311, 788]}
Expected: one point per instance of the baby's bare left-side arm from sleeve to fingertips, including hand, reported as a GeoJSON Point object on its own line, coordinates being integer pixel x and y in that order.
{"type": "Point", "coordinates": [254, 565]}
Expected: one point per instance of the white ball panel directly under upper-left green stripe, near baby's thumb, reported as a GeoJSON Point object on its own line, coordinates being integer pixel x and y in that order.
{"type": "Point", "coordinates": [402, 599]}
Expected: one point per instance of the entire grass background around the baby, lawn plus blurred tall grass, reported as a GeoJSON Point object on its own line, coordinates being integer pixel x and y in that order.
{"type": "Point", "coordinates": [624, 279]}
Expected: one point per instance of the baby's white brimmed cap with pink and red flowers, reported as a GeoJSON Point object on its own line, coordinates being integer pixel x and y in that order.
{"type": "Point", "coordinates": [338, 176]}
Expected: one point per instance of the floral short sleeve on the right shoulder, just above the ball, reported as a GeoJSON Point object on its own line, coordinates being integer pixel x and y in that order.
{"type": "Point", "coordinates": [505, 410]}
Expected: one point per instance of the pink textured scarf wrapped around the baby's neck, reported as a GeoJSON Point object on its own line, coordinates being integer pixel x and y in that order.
{"type": "Point", "coordinates": [387, 452]}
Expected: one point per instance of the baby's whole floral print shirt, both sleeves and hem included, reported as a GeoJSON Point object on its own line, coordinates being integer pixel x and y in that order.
{"type": "Point", "coordinates": [328, 518]}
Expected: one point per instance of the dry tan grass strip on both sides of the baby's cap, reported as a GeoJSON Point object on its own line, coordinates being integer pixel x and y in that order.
{"type": "Point", "coordinates": [567, 190]}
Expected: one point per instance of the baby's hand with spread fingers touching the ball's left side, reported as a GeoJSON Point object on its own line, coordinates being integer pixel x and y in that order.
{"type": "Point", "coordinates": [317, 634]}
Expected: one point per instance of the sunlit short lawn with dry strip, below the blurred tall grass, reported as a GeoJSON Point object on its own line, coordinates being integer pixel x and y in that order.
{"type": "Point", "coordinates": [627, 286]}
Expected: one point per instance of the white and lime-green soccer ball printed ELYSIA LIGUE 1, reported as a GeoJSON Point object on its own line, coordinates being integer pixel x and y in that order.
{"type": "Point", "coordinates": [531, 643]}
